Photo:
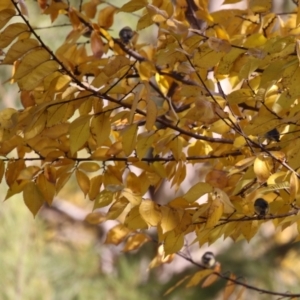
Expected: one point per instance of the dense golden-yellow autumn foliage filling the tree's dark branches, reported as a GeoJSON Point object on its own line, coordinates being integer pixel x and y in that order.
{"type": "Point", "coordinates": [219, 89]}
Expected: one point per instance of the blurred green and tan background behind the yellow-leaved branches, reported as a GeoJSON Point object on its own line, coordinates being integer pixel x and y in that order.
{"type": "Point", "coordinates": [55, 257]}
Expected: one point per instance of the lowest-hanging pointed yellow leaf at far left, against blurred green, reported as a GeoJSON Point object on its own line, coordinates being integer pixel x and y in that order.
{"type": "Point", "coordinates": [33, 197]}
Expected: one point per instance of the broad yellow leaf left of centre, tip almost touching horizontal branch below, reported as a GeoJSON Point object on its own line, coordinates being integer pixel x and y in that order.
{"type": "Point", "coordinates": [79, 133]}
